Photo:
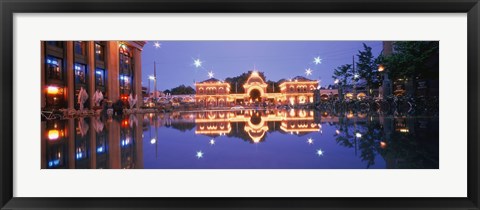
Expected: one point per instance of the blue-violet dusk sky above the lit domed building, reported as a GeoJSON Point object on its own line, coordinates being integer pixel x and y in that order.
{"type": "Point", "coordinates": [278, 59]}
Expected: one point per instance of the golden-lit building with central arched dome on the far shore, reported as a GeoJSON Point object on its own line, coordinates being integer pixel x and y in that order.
{"type": "Point", "coordinates": [216, 93]}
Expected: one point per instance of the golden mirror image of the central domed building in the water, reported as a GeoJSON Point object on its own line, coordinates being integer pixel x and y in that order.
{"type": "Point", "coordinates": [253, 125]}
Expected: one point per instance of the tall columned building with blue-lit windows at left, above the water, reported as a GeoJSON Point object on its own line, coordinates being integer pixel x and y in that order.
{"type": "Point", "coordinates": [113, 67]}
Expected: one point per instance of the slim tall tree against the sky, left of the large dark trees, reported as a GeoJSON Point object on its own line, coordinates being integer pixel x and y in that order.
{"type": "Point", "coordinates": [367, 67]}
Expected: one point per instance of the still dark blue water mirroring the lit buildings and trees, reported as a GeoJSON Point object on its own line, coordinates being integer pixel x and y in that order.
{"type": "Point", "coordinates": [247, 139]}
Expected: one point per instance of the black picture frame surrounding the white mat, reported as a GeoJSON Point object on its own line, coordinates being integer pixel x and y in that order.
{"type": "Point", "coordinates": [10, 7]}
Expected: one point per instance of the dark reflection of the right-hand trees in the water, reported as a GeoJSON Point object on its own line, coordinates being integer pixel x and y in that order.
{"type": "Point", "coordinates": [402, 141]}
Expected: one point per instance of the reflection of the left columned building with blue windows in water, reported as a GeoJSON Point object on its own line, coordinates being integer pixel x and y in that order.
{"type": "Point", "coordinates": [92, 143]}
